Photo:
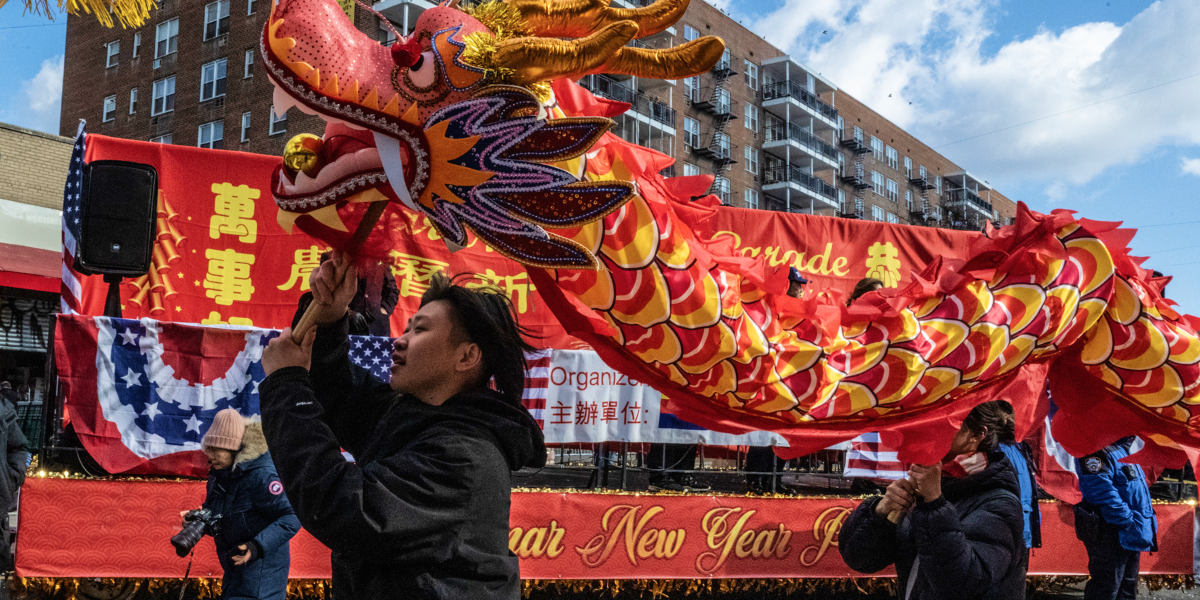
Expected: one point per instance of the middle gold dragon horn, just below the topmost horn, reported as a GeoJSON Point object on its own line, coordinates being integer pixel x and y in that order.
{"type": "Point", "coordinates": [542, 59]}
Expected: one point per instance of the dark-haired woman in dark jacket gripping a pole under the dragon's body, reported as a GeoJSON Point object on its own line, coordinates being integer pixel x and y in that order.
{"type": "Point", "coordinates": [961, 531]}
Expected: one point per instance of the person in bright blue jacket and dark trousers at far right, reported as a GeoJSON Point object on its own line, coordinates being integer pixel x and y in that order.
{"type": "Point", "coordinates": [1117, 521]}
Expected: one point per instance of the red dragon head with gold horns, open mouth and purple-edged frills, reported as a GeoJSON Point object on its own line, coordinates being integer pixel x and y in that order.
{"type": "Point", "coordinates": [451, 121]}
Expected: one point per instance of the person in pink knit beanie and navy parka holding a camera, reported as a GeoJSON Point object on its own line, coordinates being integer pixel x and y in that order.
{"type": "Point", "coordinates": [256, 521]}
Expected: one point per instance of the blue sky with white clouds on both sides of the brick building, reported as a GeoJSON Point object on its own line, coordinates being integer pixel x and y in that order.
{"type": "Point", "coordinates": [956, 70]}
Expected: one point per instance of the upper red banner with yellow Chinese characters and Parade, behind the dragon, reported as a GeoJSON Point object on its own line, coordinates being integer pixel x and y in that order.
{"type": "Point", "coordinates": [223, 257]}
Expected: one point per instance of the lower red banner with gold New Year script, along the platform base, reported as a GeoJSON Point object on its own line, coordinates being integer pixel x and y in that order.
{"type": "Point", "coordinates": [93, 529]}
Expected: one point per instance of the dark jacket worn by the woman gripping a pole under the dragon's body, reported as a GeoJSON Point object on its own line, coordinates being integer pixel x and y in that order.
{"type": "Point", "coordinates": [970, 541]}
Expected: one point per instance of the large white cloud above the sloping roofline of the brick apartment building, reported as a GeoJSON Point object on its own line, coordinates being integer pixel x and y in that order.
{"type": "Point", "coordinates": [931, 53]}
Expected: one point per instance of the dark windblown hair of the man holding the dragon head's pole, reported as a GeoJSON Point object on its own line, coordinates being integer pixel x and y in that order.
{"type": "Point", "coordinates": [485, 317]}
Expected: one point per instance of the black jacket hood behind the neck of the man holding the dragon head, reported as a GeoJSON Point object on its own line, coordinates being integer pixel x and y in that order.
{"type": "Point", "coordinates": [518, 434]}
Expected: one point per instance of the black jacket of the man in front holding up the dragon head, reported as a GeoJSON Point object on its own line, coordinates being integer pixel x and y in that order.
{"type": "Point", "coordinates": [424, 512]}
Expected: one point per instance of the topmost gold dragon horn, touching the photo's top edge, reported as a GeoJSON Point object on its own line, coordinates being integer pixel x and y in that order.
{"type": "Point", "coordinates": [579, 19]}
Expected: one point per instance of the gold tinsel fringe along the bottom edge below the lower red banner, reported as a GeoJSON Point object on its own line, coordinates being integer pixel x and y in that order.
{"type": "Point", "coordinates": [116, 589]}
